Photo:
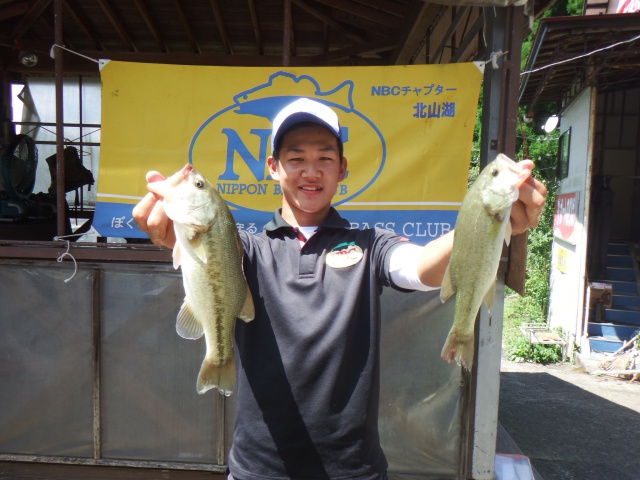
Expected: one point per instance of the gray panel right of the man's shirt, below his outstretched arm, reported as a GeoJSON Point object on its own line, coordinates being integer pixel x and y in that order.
{"type": "Point", "coordinates": [421, 395]}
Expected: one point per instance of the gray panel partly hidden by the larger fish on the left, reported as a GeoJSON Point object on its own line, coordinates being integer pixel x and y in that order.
{"type": "Point", "coordinates": [150, 407]}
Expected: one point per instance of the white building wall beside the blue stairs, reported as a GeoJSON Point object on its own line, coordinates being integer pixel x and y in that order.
{"type": "Point", "coordinates": [568, 256]}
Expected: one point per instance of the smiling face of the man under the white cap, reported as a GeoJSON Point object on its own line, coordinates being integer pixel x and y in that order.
{"type": "Point", "coordinates": [309, 170]}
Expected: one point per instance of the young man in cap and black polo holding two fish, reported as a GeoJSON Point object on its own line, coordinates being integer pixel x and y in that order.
{"type": "Point", "coordinates": [308, 364]}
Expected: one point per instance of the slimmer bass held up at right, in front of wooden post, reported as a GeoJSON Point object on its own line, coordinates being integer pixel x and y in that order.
{"type": "Point", "coordinates": [481, 227]}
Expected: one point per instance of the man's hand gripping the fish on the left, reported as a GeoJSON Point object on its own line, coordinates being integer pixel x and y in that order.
{"type": "Point", "coordinates": [151, 218]}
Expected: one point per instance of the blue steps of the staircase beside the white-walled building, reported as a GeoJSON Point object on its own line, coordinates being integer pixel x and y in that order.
{"type": "Point", "coordinates": [621, 322]}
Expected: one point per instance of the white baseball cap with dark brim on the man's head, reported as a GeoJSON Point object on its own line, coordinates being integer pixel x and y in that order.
{"type": "Point", "coordinates": [304, 110]}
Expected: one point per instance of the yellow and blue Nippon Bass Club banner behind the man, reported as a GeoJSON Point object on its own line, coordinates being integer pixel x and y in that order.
{"type": "Point", "coordinates": [407, 133]}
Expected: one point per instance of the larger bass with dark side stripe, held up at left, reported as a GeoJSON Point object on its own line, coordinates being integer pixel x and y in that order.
{"type": "Point", "coordinates": [209, 252]}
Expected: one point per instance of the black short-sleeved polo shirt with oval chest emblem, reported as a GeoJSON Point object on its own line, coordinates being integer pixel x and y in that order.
{"type": "Point", "coordinates": [308, 364]}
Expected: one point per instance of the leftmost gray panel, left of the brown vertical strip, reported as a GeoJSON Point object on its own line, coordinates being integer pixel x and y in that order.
{"type": "Point", "coordinates": [46, 362]}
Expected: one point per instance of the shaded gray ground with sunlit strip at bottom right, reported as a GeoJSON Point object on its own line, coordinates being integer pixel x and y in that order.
{"type": "Point", "coordinates": [571, 424]}
